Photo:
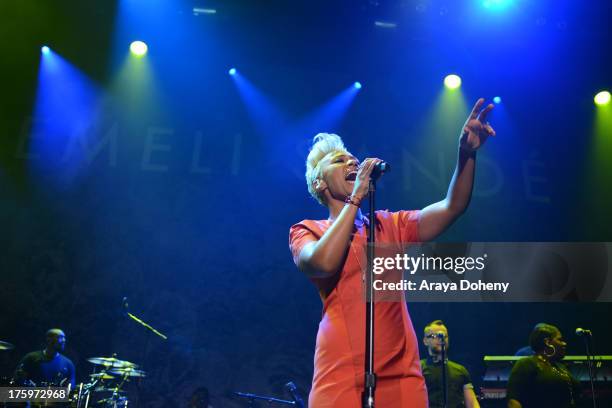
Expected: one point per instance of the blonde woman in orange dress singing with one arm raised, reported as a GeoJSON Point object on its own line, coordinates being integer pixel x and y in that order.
{"type": "Point", "coordinates": [331, 253]}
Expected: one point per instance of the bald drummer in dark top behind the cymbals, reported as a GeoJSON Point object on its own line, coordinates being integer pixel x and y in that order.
{"type": "Point", "coordinates": [47, 366]}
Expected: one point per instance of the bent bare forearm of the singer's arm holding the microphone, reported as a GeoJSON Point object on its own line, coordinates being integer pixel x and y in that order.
{"type": "Point", "coordinates": [325, 257]}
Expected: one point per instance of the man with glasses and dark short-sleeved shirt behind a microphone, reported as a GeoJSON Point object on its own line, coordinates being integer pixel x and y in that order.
{"type": "Point", "coordinates": [460, 391]}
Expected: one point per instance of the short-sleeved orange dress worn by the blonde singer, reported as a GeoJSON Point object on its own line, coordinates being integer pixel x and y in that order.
{"type": "Point", "coordinates": [339, 355]}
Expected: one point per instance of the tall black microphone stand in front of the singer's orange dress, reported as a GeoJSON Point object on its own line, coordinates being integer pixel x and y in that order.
{"type": "Point", "coordinates": [367, 397]}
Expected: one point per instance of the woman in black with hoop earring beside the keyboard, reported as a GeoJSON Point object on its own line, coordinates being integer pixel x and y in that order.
{"type": "Point", "coordinates": [542, 380]}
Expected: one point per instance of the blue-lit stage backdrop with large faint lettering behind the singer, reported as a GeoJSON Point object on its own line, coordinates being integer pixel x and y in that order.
{"type": "Point", "coordinates": [175, 185]}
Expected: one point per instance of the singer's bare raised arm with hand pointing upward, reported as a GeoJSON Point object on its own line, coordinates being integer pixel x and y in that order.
{"type": "Point", "coordinates": [437, 217]}
